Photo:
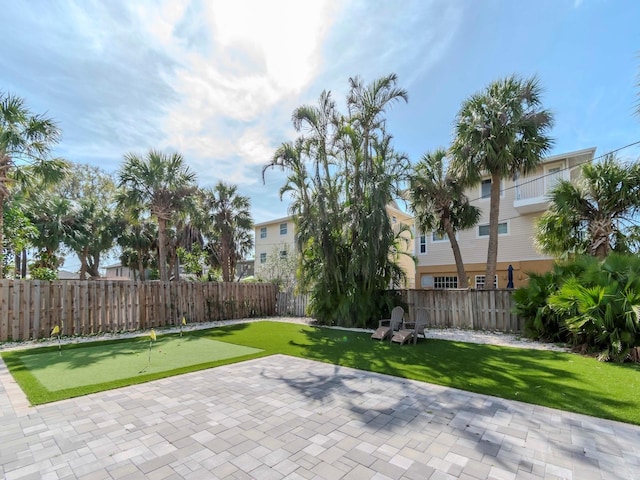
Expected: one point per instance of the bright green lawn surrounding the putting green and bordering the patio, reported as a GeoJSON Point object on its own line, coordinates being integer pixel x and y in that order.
{"type": "Point", "coordinates": [559, 380]}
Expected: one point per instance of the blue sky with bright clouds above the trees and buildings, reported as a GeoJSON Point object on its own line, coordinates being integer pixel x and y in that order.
{"type": "Point", "coordinates": [217, 81]}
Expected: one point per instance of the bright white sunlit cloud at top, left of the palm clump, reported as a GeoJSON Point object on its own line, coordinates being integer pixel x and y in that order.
{"type": "Point", "coordinates": [236, 61]}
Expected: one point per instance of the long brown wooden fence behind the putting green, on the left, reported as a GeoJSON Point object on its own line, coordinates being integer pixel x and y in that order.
{"type": "Point", "coordinates": [29, 309]}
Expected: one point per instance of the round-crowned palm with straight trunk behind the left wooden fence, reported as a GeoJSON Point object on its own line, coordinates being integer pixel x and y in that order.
{"type": "Point", "coordinates": [162, 185]}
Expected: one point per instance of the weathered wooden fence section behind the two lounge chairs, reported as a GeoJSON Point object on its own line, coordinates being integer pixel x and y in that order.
{"type": "Point", "coordinates": [470, 309]}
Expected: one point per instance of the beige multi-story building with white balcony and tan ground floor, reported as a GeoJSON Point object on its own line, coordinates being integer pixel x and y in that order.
{"type": "Point", "coordinates": [522, 201]}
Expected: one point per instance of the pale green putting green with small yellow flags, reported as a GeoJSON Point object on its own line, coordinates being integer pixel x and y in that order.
{"type": "Point", "coordinates": [108, 362]}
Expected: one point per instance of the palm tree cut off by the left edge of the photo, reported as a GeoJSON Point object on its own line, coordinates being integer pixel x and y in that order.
{"type": "Point", "coordinates": [25, 144]}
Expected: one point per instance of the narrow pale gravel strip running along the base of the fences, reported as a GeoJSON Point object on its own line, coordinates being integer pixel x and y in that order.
{"type": "Point", "coordinates": [453, 334]}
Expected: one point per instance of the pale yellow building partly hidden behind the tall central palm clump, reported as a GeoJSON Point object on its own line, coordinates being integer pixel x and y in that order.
{"type": "Point", "coordinates": [278, 237]}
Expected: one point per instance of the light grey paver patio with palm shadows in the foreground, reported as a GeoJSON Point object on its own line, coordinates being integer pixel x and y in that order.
{"type": "Point", "coordinates": [283, 417]}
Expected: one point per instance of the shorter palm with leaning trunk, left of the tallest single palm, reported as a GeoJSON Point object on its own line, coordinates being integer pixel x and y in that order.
{"type": "Point", "coordinates": [439, 203]}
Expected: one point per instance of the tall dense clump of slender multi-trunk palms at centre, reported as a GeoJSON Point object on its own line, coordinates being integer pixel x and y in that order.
{"type": "Point", "coordinates": [342, 174]}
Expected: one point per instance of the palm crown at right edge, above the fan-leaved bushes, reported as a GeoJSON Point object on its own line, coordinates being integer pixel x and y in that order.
{"type": "Point", "coordinates": [593, 215]}
